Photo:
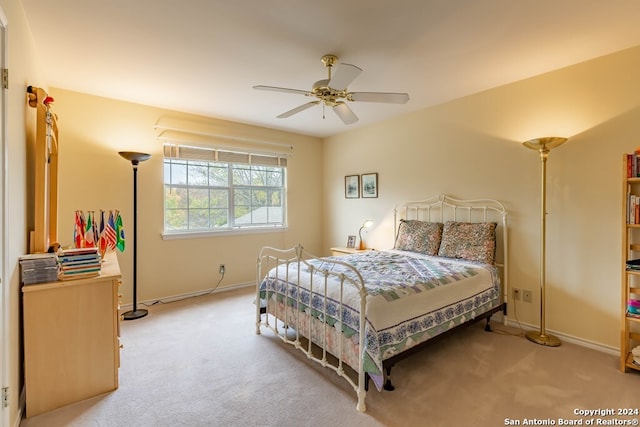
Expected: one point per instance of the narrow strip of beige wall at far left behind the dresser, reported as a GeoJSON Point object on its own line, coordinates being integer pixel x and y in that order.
{"type": "Point", "coordinates": [23, 71]}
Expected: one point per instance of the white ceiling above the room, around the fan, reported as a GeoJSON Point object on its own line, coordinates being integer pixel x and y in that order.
{"type": "Point", "coordinates": [204, 56]}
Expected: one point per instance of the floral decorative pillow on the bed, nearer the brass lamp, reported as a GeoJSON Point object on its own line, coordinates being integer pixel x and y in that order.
{"type": "Point", "coordinates": [473, 241]}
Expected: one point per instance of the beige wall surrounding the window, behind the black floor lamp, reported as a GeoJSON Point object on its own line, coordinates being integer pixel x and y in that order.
{"type": "Point", "coordinates": [93, 176]}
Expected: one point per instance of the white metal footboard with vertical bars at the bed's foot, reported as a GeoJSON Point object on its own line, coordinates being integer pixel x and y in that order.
{"type": "Point", "coordinates": [286, 319]}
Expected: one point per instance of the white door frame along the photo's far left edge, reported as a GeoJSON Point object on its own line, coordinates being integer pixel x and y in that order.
{"type": "Point", "coordinates": [4, 283]}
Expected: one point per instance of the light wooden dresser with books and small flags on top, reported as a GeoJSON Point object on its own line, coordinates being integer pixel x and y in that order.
{"type": "Point", "coordinates": [71, 339]}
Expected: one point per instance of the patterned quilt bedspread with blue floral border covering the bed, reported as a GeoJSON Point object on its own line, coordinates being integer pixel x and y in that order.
{"type": "Point", "coordinates": [410, 298]}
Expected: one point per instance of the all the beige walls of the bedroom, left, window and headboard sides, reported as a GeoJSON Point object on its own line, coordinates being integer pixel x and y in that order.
{"type": "Point", "coordinates": [469, 148]}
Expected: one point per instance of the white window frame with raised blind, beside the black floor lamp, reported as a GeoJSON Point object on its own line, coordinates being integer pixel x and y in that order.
{"type": "Point", "coordinates": [217, 157]}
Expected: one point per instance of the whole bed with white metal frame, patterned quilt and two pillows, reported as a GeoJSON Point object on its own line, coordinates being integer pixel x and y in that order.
{"type": "Point", "coordinates": [362, 313]}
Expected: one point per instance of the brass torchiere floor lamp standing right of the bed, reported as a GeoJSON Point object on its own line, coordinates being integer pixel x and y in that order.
{"type": "Point", "coordinates": [543, 146]}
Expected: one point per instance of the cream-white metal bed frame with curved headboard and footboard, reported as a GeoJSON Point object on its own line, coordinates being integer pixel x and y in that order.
{"type": "Point", "coordinates": [439, 208]}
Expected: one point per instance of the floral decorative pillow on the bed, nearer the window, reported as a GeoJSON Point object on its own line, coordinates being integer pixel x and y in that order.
{"type": "Point", "coordinates": [419, 236]}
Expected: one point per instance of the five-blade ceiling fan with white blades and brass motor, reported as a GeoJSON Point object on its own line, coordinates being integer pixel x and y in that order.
{"type": "Point", "coordinates": [332, 92]}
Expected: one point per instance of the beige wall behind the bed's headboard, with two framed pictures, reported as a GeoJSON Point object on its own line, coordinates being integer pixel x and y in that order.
{"type": "Point", "coordinates": [471, 148]}
